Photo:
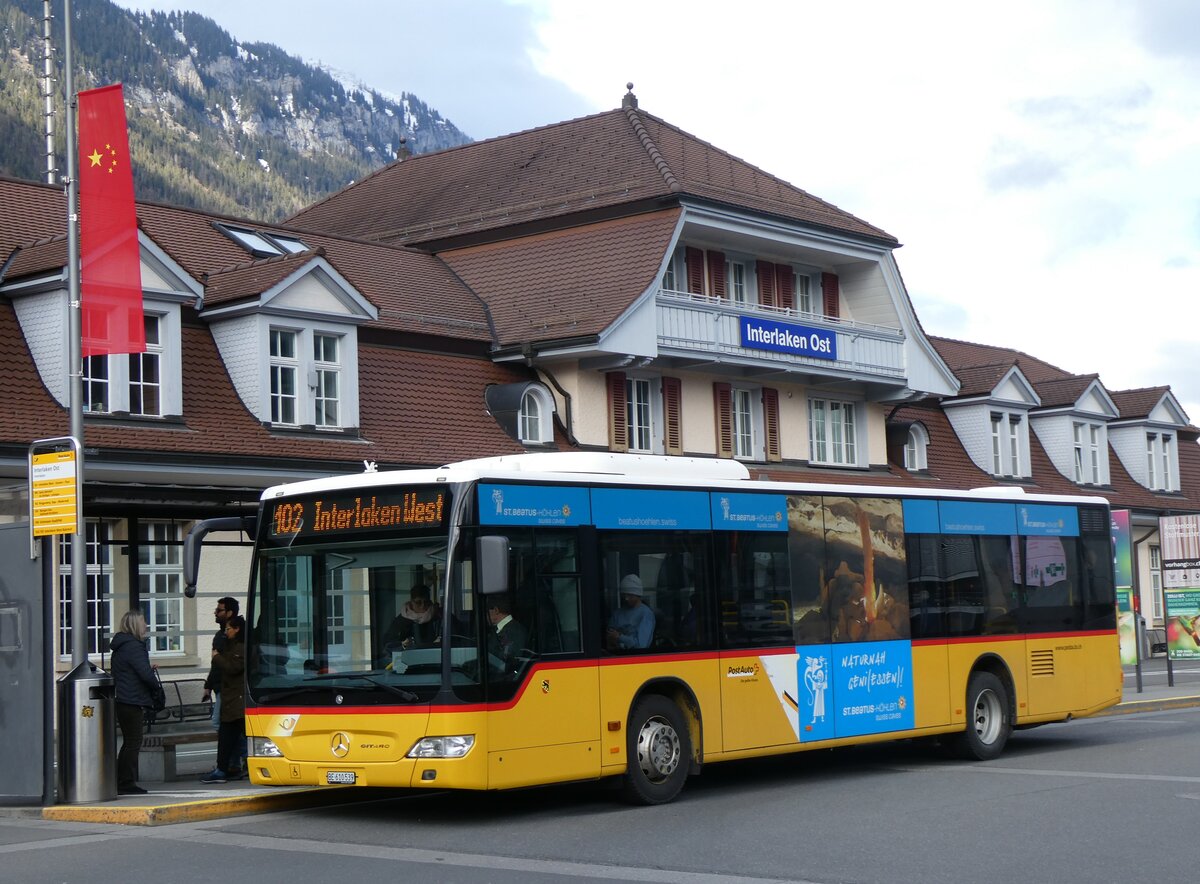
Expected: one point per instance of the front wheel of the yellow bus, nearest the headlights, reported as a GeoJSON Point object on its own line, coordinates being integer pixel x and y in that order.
{"type": "Point", "coordinates": [659, 751]}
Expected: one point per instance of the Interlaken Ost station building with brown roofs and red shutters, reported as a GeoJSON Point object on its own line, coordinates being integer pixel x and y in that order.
{"type": "Point", "coordinates": [609, 284]}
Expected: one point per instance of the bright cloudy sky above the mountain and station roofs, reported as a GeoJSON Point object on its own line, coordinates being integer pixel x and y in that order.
{"type": "Point", "coordinates": [1039, 159]}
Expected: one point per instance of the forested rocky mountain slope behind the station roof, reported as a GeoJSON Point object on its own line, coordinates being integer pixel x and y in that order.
{"type": "Point", "coordinates": [239, 129]}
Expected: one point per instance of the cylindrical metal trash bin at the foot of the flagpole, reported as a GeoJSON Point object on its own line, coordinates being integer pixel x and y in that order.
{"type": "Point", "coordinates": [87, 736]}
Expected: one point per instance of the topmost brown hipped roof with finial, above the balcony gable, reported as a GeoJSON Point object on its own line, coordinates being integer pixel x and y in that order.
{"type": "Point", "coordinates": [597, 163]}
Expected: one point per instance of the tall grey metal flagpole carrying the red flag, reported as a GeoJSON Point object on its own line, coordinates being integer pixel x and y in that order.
{"type": "Point", "coordinates": [75, 342]}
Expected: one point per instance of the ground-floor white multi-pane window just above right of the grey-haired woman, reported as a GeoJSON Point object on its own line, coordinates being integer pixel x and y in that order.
{"type": "Point", "coordinates": [161, 585]}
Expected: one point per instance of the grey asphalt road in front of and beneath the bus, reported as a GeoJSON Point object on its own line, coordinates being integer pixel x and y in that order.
{"type": "Point", "coordinates": [1106, 799]}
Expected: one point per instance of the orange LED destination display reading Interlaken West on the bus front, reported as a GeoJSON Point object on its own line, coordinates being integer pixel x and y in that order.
{"type": "Point", "coordinates": [345, 514]}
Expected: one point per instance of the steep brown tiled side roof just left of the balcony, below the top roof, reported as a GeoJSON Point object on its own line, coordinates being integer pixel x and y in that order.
{"type": "Point", "coordinates": [568, 284]}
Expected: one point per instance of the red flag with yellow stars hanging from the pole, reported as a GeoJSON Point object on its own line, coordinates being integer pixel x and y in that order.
{"type": "Point", "coordinates": [110, 263]}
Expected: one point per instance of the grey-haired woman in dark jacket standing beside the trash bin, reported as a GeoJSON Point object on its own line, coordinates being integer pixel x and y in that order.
{"type": "Point", "coordinates": [135, 684]}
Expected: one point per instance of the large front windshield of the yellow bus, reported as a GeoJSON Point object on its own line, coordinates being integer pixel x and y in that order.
{"type": "Point", "coordinates": [363, 617]}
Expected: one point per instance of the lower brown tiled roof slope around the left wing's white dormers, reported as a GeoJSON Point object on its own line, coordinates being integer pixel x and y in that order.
{"type": "Point", "coordinates": [418, 410]}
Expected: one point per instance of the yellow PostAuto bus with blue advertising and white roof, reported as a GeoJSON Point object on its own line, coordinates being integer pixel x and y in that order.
{"type": "Point", "coordinates": [568, 617]}
